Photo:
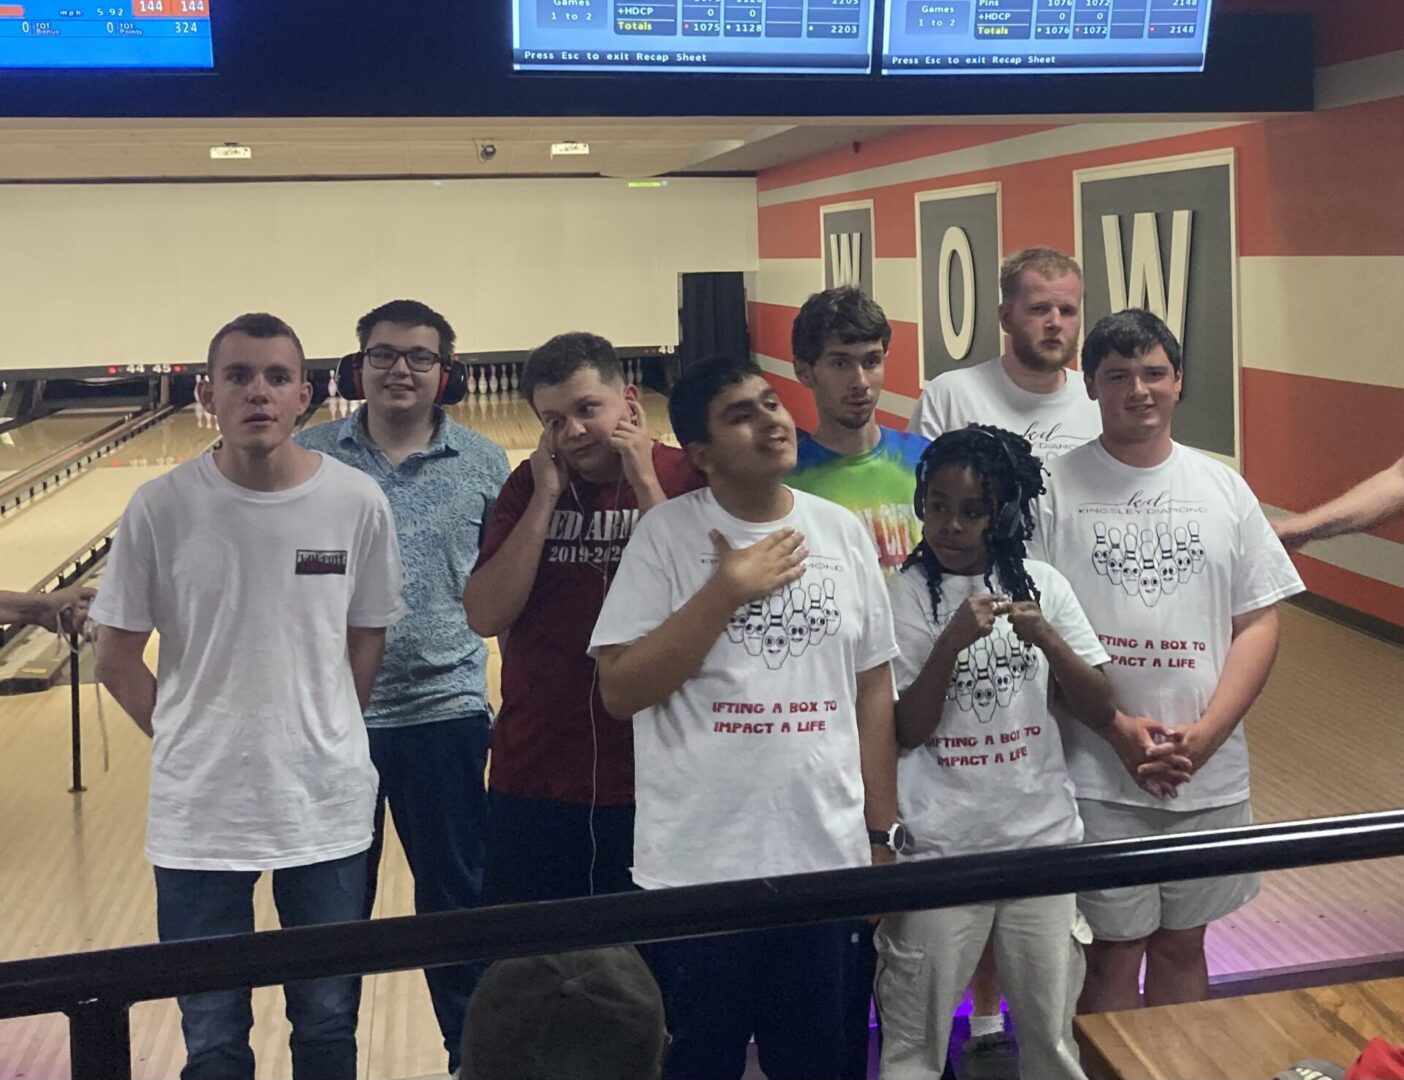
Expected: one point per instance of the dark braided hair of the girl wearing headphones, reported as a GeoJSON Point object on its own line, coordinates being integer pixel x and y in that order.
{"type": "Point", "coordinates": [1010, 477]}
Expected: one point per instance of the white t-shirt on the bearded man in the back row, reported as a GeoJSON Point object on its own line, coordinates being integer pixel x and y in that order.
{"type": "Point", "coordinates": [1054, 423]}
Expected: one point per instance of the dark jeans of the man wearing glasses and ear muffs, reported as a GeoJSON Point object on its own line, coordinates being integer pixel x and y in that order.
{"type": "Point", "coordinates": [432, 776]}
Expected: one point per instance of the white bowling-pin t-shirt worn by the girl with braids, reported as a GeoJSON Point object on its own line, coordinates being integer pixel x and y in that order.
{"type": "Point", "coordinates": [993, 776]}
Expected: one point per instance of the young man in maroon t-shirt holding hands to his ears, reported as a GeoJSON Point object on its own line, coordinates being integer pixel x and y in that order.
{"type": "Point", "coordinates": [562, 772]}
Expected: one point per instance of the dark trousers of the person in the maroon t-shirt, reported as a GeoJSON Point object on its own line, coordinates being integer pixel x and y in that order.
{"type": "Point", "coordinates": [541, 850]}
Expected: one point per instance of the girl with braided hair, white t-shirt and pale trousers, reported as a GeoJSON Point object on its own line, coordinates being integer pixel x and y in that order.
{"type": "Point", "coordinates": [984, 631]}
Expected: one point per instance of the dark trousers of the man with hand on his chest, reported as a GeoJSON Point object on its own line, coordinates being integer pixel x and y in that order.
{"type": "Point", "coordinates": [786, 987]}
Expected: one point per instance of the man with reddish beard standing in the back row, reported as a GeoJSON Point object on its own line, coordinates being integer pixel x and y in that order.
{"type": "Point", "coordinates": [1028, 390]}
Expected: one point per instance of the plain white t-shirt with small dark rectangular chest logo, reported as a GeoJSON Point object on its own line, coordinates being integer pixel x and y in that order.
{"type": "Point", "coordinates": [260, 758]}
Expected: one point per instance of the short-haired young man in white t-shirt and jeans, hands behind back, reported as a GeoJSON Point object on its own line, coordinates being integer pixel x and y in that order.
{"type": "Point", "coordinates": [270, 574]}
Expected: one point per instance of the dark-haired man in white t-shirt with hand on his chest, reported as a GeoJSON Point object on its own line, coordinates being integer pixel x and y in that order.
{"type": "Point", "coordinates": [750, 637]}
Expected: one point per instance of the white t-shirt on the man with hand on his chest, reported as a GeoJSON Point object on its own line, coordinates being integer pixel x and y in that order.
{"type": "Point", "coordinates": [752, 768]}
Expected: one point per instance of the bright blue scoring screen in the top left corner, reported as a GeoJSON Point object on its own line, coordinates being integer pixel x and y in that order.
{"type": "Point", "coordinates": [81, 34]}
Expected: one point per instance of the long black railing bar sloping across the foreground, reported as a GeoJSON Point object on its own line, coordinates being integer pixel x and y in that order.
{"type": "Point", "coordinates": [151, 973]}
